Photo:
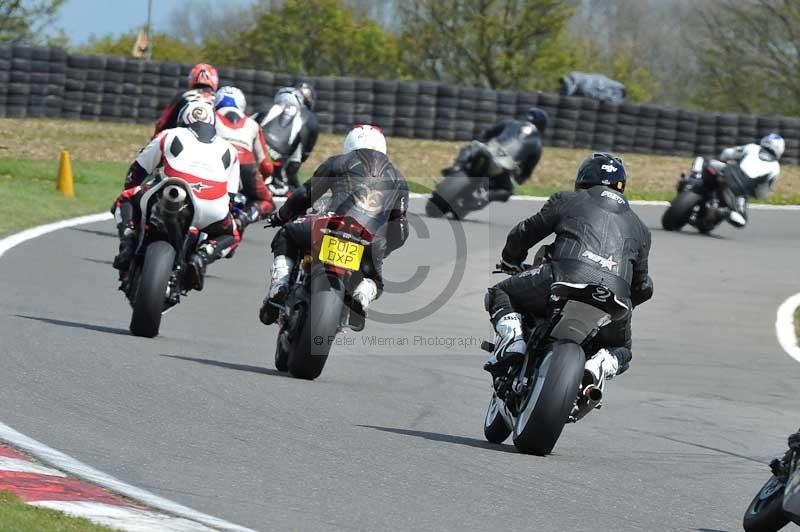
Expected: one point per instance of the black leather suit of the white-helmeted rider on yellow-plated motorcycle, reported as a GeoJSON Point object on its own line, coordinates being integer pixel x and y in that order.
{"type": "Point", "coordinates": [364, 185]}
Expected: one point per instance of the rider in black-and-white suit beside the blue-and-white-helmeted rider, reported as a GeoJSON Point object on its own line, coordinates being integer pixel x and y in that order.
{"type": "Point", "coordinates": [296, 104]}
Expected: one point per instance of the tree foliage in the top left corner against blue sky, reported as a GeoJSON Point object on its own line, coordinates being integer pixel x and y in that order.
{"type": "Point", "coordinates": [23, 21]}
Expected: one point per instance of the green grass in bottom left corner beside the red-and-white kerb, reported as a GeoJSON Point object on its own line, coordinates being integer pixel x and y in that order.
{"type": "Point", "coordinates": [16, 516]}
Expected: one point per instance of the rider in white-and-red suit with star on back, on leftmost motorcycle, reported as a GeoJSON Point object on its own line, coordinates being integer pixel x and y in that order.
{"type": "Point", "coordinates": [195, 153]}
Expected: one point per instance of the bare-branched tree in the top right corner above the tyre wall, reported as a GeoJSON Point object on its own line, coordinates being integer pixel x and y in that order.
{"type": "Point", "coordinates": [749, 57]}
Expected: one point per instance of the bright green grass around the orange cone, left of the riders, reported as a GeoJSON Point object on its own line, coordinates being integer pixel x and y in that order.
{"type": "Point", "coordinates": [29, 196]}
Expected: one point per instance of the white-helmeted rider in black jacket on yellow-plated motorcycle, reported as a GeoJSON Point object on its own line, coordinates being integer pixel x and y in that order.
{"type": "Point", "coordinates": [363, 184]}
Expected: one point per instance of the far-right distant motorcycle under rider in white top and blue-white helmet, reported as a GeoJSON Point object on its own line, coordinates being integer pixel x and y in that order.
{"type": "Point", "coordinates": [699, 200]}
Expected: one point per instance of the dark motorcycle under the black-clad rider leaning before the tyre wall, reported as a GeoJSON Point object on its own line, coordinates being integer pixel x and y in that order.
{"type": "Point", "coordinates": [466, 184]}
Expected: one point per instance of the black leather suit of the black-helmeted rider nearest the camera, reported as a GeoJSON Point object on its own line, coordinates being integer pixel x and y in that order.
{"type": "Point", "coordinates": [599, 239]}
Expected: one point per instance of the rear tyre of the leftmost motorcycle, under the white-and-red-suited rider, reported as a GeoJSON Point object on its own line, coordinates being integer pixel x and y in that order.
{"type": "Point", "coordinates": [149, 299]}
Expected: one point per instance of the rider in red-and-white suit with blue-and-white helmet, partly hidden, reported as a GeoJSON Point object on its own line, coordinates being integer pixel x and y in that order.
{"type": "Point", "coordinates": [244, 134]}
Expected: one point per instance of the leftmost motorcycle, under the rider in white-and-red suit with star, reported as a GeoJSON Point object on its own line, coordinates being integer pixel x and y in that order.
{"type": "Point", "coordinates": [159, 273]}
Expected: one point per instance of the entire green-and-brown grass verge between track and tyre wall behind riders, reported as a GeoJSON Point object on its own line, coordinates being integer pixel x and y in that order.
{"type": "Point", "coordinates": [101, 153]}
